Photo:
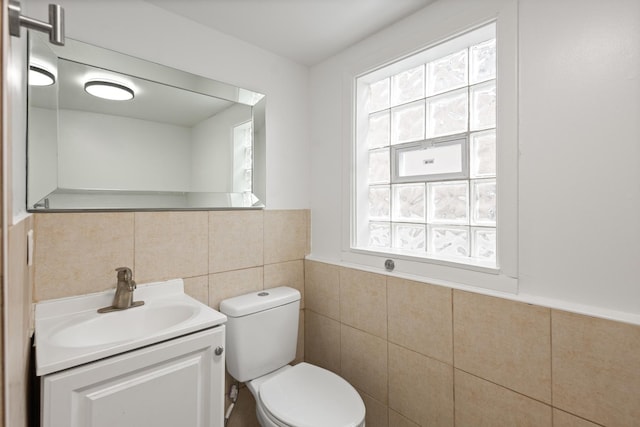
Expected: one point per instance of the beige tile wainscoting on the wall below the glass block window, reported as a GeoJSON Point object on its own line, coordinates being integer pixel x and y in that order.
{"type": "Point", "coordinates": [424, 355]}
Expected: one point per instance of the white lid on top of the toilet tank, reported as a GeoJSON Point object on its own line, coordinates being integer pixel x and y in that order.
{"type": "Point", "coordinates": [259, 301]}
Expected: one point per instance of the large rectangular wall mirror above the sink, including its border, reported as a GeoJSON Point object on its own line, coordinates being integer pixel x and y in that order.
{"type": "Point", "coordinates": [182, 142]}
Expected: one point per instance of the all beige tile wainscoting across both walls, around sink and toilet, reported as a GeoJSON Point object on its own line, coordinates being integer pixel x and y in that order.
{"type": "Point", "coordinates": [420, 355]}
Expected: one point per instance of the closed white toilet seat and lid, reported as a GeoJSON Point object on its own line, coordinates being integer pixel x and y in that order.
{"type": "Point", "coordinates": [308, 396]}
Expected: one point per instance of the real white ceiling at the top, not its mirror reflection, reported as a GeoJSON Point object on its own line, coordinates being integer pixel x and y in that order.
{"type": "Point", "coordinates": [305, 31]}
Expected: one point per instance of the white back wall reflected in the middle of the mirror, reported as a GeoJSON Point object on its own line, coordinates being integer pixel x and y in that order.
{"type": "Point", "coordinates": [112, 152]}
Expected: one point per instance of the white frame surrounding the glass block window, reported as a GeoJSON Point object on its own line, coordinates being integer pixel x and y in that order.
{"type": "Point", "coordinates": [439, 271]}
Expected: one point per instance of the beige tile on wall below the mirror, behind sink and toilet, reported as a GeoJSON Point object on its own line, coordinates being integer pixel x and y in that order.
{"type": "Point", "coordinates": [220, 254]}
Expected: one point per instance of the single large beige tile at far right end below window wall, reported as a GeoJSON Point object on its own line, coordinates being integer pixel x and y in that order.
{"type": "Point", "coordinates": [596, 369]}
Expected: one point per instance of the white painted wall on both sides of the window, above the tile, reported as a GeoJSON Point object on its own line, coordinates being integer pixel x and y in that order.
{"type": "Point", "coordinates": [579, 138]}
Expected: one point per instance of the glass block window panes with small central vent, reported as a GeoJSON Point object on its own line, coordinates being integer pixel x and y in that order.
{"type": "Point", "coordinates": [426, 153]}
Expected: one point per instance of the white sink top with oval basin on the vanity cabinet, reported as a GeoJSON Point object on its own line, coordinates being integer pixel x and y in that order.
{"type": "Point", "coordinates": [70, 331]}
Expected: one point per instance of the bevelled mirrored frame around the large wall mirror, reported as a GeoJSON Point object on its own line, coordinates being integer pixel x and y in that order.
{"type": "Point", "coordinates": [131, 66]}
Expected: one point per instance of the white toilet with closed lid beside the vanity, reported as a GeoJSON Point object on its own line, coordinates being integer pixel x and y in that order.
{"type": "Point", "coordinates": [262, 332]}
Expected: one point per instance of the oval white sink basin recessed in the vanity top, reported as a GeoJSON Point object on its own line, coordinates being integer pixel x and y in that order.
{"type": "Point", "coordinates": [122, 325]}
